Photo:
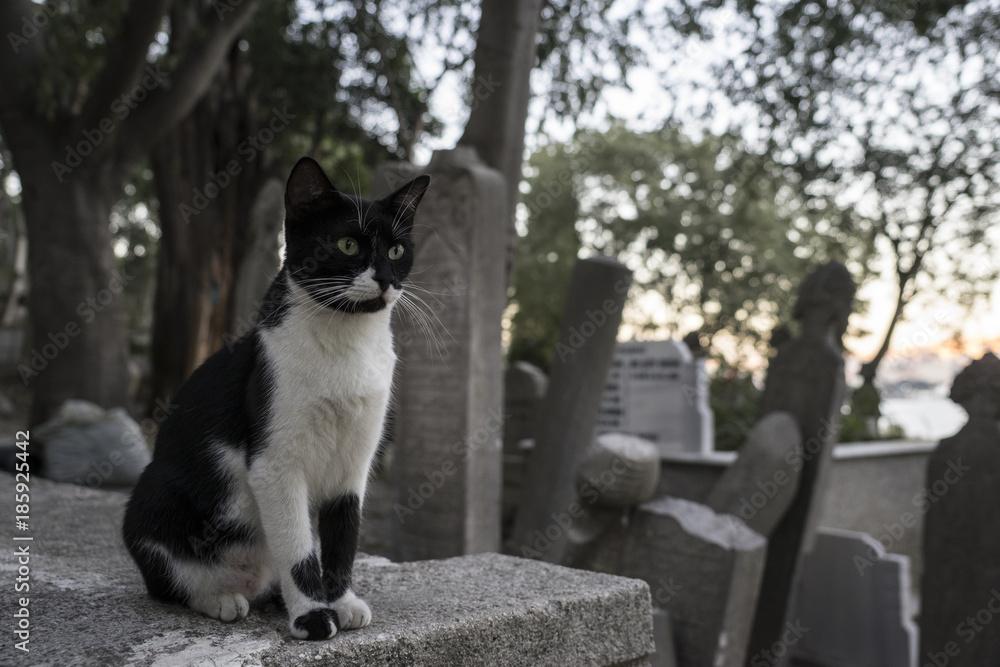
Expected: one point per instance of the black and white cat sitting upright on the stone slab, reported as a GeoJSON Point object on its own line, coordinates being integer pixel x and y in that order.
{"type": "Point", "coordinates": [259, 472]}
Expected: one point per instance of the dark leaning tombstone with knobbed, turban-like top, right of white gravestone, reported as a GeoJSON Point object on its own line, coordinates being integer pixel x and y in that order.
{"type": "Point", "coordinates": [805, 379]}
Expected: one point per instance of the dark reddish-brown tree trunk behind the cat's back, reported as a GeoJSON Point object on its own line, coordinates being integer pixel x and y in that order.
{"type": "Point", "coordinates": [205, 208]}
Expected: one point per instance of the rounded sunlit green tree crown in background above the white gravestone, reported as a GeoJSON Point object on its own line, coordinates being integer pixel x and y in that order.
{"type": "Point", "coordinates": [724, 234]}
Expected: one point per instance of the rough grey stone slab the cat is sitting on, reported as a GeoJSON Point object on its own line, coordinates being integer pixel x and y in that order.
{"type": "Point", "coordinates": [88, 606]}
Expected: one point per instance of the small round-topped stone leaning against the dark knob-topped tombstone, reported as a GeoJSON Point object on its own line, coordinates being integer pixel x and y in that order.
{"type": "Point", "coordinates": [760, 485]}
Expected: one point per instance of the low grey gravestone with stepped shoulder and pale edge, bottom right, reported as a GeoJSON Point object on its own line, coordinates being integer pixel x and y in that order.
{"type": "Point", "coordinates": [853, 599]}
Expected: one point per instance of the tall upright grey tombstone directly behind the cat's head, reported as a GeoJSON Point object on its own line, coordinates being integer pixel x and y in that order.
{"type": "Point", "coordinates": [449, 389]}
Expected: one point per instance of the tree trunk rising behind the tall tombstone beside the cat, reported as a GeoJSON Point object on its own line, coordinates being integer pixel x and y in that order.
{"type": "Point", "coordinates": [505, 56]}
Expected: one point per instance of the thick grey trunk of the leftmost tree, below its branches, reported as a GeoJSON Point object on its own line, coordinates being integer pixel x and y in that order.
{"type": "Point", "coordinates": [78, 333]}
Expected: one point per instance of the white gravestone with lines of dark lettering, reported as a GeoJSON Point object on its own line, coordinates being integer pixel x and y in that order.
{"type": "Point", "coordinates": [658, 391]}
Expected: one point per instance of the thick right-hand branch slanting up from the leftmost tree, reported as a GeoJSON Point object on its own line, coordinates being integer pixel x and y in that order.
{"type": "Point", "coordinates": [165, 107]}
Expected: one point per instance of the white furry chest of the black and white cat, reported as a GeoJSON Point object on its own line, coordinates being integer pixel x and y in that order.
{"type": "Point", "coordinates": [331, 379]}
